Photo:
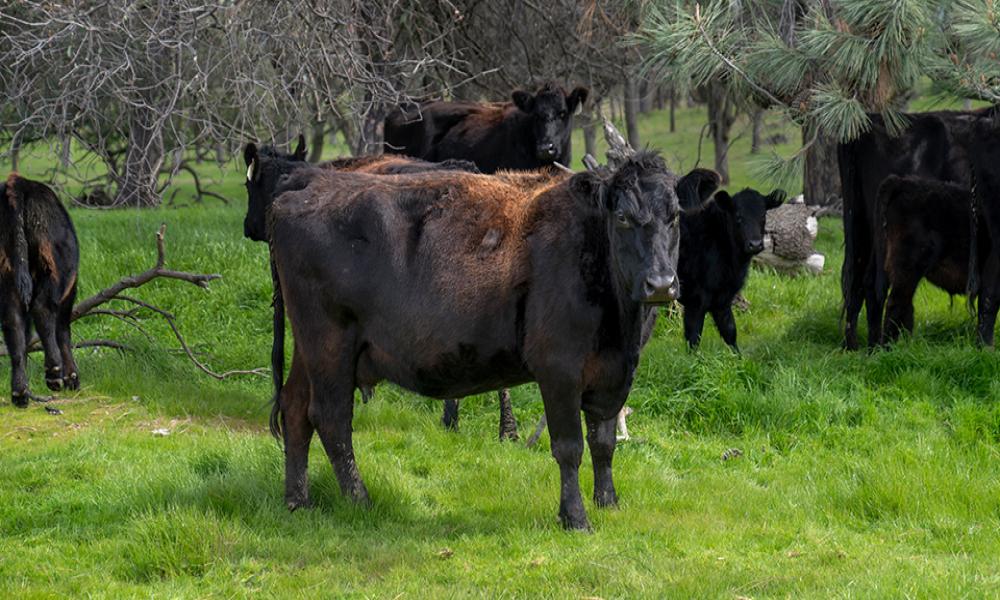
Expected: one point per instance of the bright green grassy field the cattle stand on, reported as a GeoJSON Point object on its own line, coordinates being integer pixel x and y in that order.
{"type": "Point", "coordinates": [860, 475]}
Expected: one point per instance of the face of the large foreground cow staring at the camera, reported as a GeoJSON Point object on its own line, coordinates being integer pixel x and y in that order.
{"type": "Point", "coordinates": [643, 217]}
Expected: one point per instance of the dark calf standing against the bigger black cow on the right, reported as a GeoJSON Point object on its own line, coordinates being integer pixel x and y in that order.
{"type": "Point", "coordinates": [925, 233]}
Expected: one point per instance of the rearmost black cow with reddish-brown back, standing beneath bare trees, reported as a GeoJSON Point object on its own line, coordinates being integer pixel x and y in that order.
{"type": "Point", "coordinates": [532, 131]}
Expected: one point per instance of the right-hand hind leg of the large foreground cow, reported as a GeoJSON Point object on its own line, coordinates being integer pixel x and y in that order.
{"type": "Point", "coordinates": [331, 409]}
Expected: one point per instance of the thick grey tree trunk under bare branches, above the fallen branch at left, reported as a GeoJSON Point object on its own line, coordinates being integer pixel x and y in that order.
{"type": "Point", "coordinates": [143, 160]}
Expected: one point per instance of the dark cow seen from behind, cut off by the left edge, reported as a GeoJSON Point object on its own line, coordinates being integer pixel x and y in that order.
{"type": "Point", "coordinates": [39, 257]}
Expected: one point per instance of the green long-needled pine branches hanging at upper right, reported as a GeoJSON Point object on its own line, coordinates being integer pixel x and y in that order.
{"type": "Point", "coordinates": [825, 64]}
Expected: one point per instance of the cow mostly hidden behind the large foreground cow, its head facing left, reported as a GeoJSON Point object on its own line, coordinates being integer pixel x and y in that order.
{"type": "Point", "coordinates": [266, 166]}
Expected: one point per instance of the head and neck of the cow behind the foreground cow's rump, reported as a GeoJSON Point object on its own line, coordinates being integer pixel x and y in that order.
{"type": "Point", "coordinates": [264, 167]}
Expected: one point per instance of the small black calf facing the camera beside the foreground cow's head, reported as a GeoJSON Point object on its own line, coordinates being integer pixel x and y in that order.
{"type": "Point", "coordinates": [718, 240]}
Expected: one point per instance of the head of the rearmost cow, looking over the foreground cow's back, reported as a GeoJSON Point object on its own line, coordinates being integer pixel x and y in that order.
{"type": "Point", "coordinates": [551, 110]}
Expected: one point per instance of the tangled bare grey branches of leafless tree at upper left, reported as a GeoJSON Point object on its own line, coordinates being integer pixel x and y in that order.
{"type": "Point", "coordinates": [141, 83]}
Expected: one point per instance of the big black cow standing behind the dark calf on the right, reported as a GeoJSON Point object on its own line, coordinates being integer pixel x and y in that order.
{"type": "Point", "coordinates": [943, 146]}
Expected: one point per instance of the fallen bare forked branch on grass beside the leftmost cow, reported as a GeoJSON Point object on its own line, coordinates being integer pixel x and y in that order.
{"type": "Point", "coordinates": [89, 307]}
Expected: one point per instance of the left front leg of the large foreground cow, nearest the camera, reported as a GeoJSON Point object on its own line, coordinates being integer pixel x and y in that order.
{"type": "Point", "coordinates": [562, 411]}
